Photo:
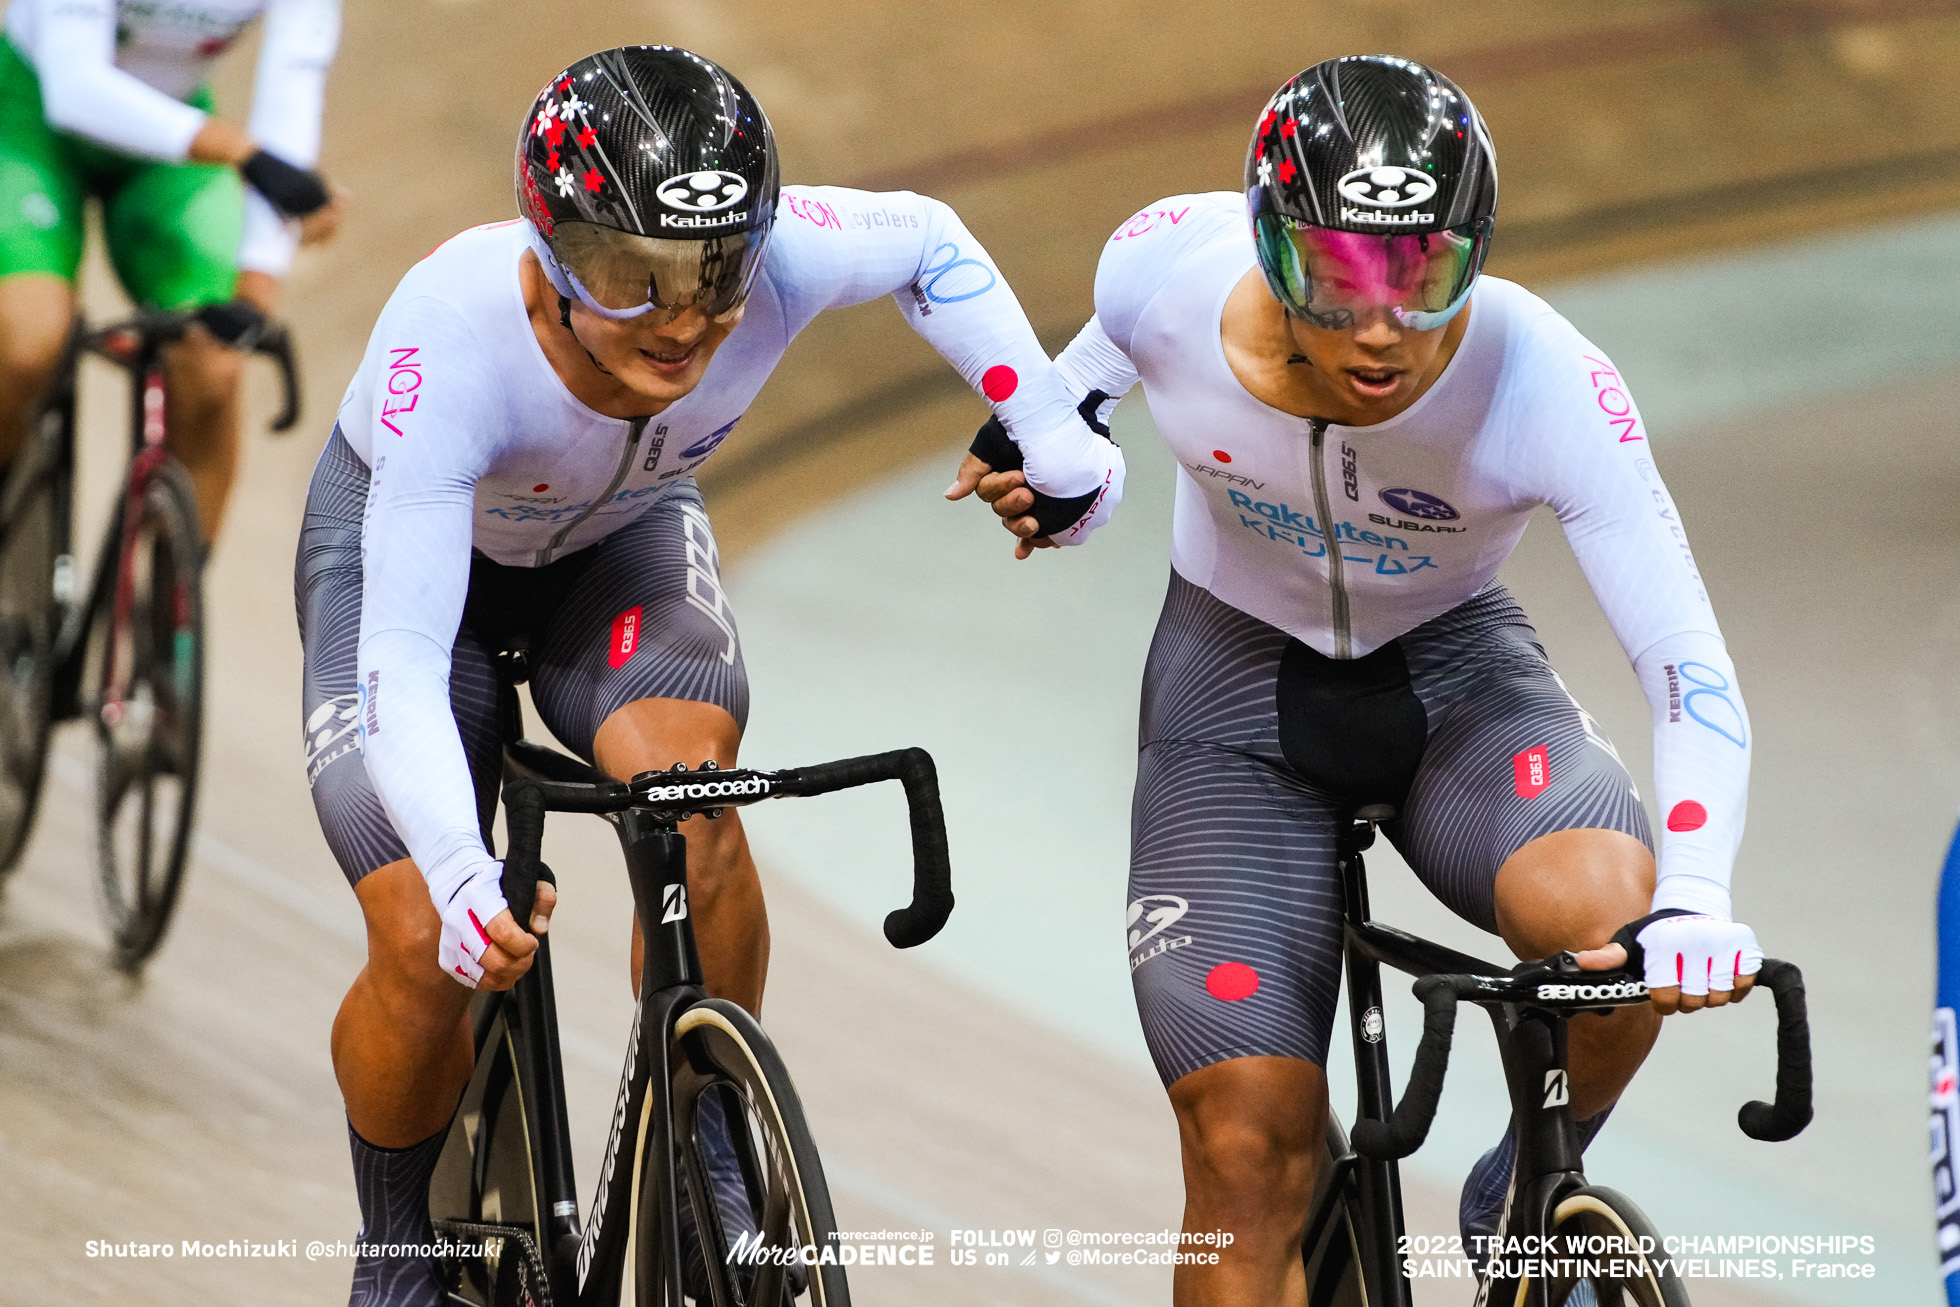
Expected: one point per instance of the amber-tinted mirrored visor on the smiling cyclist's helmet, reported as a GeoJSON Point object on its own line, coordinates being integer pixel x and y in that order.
{"type": "Point", "coordinates": [626, 275]}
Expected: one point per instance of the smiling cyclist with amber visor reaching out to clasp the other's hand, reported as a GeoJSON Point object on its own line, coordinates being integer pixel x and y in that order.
{"type": "Point", "coordinates": [514, 463]}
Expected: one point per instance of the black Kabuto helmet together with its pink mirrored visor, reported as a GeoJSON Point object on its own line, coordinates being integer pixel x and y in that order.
{"type": "Point", "coordinates": [1371, 185]}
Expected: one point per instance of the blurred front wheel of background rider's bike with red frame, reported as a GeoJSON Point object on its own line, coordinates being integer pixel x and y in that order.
{"type": "Point", "coordinates": [148, 648]}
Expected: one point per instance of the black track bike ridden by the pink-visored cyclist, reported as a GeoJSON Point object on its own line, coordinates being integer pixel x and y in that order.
{"type": "Point", "coordinates": [1355, 1247]}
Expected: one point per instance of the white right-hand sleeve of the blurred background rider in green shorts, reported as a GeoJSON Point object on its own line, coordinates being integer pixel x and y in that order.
{"type": "Point", "coordinates": [301, 38]}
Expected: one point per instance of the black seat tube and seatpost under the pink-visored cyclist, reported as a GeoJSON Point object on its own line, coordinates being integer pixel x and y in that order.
{"type": "Point", "coordinates": [1381, 1183]}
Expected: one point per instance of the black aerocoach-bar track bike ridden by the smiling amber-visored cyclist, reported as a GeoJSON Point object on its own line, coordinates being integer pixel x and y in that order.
{"type": "Point", "coordinates": [710, 1188]}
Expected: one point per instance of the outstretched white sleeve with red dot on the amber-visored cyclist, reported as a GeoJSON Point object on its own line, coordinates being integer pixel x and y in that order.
{"type": "Point", "coordinates": [856, 246]}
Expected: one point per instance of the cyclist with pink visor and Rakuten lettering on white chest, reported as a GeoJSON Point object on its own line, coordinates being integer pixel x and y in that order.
{"type": "Point", "coordinates": [1361, 446]}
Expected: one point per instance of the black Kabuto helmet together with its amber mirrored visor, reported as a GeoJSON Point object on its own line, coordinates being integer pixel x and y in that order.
{"type": "Point", "coordinates": [650, 181]}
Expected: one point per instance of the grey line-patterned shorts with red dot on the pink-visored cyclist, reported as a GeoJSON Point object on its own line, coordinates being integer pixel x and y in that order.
{"type": "Point", "coordinates": [1255, 750]}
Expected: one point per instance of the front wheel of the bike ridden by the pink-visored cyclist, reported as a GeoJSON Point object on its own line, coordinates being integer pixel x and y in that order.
{"type": "Point", "coordinates": [1608, 1257]}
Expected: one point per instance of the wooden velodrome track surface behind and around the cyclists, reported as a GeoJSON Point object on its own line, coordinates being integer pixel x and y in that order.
{"type": "Point", "coordinates": [1734, 199]}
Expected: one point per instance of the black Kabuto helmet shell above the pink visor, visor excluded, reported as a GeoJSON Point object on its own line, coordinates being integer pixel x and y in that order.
{"type": "Point", "coordinates": [1379, 146]}
